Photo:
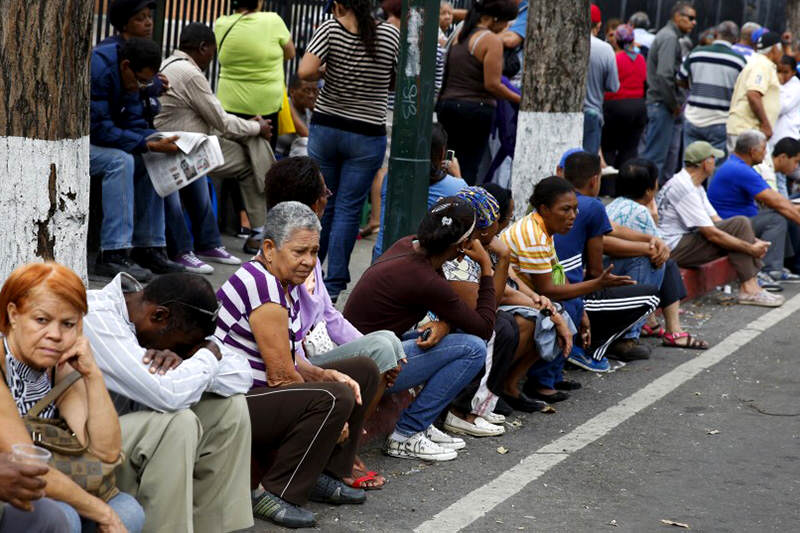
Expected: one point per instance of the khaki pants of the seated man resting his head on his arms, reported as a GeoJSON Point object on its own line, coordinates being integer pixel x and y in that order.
{"type": "Point", "coordinates": [190, 469]}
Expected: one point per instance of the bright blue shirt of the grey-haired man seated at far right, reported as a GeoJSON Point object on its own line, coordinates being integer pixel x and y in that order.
{"type": "Point", "coordinates": [734, 187]}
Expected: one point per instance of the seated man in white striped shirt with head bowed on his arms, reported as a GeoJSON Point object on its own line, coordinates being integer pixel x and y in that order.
{"type": "Point", "coordinates": [186, 434]}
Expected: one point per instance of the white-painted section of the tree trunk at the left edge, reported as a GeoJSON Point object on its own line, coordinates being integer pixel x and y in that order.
{"type": "Point", "coordinates": [44, 201]}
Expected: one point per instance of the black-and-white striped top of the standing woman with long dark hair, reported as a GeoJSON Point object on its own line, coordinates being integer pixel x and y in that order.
{"type": "Point", "coordinates": [354, 96]}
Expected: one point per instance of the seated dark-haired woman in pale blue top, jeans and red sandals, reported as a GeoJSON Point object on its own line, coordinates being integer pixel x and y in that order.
{"type": "Point", "coordinates": [637, 184]}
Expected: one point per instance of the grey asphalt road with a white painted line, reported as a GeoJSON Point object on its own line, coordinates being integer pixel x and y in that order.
{"type": "Point", "coordinates": [718, 451]}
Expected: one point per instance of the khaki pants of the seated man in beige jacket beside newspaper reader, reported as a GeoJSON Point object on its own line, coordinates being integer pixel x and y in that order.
{"type": "Point", "coordinates": [239, 166]}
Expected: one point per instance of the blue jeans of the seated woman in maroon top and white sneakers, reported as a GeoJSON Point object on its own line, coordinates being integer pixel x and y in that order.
{"type": "Point", "coordinates": [445, 369]}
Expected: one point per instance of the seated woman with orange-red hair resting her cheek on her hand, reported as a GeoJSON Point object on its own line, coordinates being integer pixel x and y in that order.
{"type": "Point", "coordinates": [41, 309]}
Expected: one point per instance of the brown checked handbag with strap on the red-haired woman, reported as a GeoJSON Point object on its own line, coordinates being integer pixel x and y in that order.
{"type": "Point", "coordinates": [72, 458]}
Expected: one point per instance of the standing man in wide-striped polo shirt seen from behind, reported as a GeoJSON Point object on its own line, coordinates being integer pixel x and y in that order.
{"type": "Point", "coordinates": [710, 72]}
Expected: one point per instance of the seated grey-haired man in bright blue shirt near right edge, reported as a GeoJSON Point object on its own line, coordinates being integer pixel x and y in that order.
{"type": "Point", "coordinates": [737, 187]}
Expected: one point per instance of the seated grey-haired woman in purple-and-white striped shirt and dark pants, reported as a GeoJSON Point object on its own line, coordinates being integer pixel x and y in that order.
{"type": "Point", "coordinates": [299, 411]}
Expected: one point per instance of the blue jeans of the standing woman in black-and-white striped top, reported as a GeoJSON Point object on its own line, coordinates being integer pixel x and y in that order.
{"type": "Point", "coordinates": [348, 162]}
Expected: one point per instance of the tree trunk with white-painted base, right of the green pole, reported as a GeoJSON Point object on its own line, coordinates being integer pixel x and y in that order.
{"type": "Point", "coordinates": [554, 85]}
